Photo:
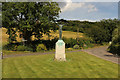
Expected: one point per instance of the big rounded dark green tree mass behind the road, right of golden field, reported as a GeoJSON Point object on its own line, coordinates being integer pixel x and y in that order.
{"type": "Point", "coordinates": [102, 31]}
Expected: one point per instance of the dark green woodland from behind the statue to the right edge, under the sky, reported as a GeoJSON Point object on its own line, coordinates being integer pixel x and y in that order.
{"type": "Point", "coordinates": [100, 31]}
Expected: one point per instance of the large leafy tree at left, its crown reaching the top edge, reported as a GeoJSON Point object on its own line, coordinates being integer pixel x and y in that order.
{"type": "Point", "coordinates": [29, 18]}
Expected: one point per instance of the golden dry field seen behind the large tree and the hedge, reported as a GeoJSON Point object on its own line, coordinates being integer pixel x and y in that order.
{"type": "Point", "coordinates": [67, 34]}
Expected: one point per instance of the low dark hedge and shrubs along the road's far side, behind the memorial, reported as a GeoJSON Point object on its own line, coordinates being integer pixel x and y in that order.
{"type": "Point", "coordinates": [40, 45]}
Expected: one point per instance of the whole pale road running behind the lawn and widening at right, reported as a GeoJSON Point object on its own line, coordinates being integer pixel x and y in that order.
{"type": "Point", "coordinates": [100, 52]}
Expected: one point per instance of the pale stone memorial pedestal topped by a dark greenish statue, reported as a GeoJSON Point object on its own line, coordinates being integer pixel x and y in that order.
{"type": "Point", "coordinates": [60, 47]}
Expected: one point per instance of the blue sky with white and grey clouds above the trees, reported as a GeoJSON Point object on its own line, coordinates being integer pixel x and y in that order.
{"type": "Point", "coordinates": [89, 11]}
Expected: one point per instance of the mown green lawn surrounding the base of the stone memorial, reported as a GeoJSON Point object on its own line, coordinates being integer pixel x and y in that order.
{"type": "Point", "coordinates": [78, 65]}
